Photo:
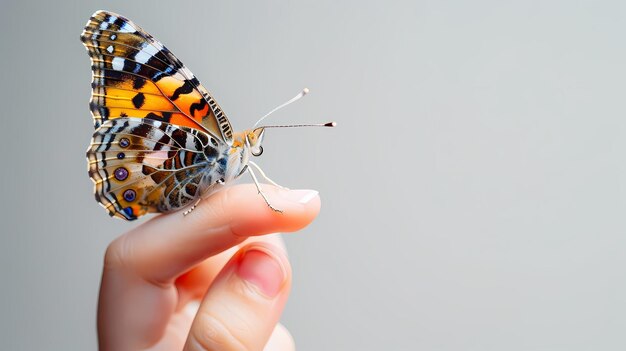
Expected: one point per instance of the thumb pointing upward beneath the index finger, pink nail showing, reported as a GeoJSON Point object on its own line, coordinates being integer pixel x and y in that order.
{"type": "Point", "coordinates": [244, 303]}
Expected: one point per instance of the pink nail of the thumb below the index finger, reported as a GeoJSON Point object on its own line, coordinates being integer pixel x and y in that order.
{"type": "Point", "coordinates": [263, 271]}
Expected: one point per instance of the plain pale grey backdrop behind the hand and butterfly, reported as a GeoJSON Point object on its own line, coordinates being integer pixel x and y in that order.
{"type": "Point", "coordinates": [473, 194]}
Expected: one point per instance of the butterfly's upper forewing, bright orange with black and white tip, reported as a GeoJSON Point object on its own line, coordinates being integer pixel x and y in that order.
{"type": "Point", "coordinates": [135, 75]}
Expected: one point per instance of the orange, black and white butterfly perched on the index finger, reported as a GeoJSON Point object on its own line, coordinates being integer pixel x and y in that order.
{"type": "Point", "coordinates": [162, 142]}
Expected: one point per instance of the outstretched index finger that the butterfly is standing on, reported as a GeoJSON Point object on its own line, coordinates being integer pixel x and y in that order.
{"type": "Point", "coordinates": [169, 245]}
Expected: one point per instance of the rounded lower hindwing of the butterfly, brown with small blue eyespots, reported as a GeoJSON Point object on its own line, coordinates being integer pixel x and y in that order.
{"type": "Point", "coordinates": [141, 165]}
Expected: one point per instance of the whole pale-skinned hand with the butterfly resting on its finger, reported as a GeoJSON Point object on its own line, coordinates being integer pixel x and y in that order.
{"type": "Point", "coordinates": [218, 257]}
